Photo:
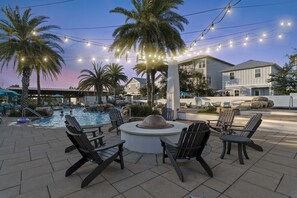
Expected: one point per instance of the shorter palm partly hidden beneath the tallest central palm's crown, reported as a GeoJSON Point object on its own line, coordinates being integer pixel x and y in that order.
{"type": "Point", "coordinates": [158, 66]}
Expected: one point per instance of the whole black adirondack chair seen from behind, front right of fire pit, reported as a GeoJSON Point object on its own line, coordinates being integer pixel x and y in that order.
{"type": "Point", "coordinates": [190, 145]}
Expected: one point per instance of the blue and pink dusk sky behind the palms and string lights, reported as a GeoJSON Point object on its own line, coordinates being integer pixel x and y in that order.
{"type": "Point", "coordinates": [85, 21]}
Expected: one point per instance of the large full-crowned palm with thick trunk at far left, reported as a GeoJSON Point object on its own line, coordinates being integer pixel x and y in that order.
{"type": "Point", "coordinates": [24, 40]}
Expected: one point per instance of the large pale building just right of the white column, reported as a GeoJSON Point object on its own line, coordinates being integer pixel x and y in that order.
{"type": "Point", "coordinates": [209, 66]}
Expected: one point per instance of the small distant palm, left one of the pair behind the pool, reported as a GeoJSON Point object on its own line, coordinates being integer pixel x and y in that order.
{"type": "Point", "coordinates": [97, 79]}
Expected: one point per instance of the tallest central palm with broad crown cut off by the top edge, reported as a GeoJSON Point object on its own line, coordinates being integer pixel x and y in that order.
{"type": "Point", "coordinates": [152, 27]}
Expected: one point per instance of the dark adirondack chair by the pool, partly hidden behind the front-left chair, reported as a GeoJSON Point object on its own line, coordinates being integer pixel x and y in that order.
{"type": "Point", "coordinates": [94, 131]}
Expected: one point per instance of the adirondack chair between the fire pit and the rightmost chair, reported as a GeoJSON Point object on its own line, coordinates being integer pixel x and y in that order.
{"type": "Point", "coordinates": [224, 121]}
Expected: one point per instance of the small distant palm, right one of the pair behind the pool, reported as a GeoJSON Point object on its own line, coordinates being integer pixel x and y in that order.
{"type": "Point", "coordinates": [116, 74]}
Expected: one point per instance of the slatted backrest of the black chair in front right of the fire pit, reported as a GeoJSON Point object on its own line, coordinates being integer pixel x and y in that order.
{"type": "Point", "coordinates": [193, 140]}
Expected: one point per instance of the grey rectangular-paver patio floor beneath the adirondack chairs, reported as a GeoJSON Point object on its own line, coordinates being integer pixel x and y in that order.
{"type": "Point", "coordinates": [33, 164]}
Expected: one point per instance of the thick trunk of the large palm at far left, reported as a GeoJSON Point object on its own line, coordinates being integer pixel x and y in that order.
{"type": "Point", "coordinates": [25, 86]}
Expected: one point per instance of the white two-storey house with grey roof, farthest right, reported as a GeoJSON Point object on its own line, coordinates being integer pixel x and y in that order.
{"type": "Point", "coordinates": [249, 78]}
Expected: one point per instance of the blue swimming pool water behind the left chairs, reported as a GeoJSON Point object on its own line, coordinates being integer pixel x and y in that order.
{"type": "Point", "coordinates": [84, 118]}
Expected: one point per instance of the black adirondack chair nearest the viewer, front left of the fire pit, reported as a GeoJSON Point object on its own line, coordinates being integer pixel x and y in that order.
{"type": "Point", "coordinates": [101, 156]}
